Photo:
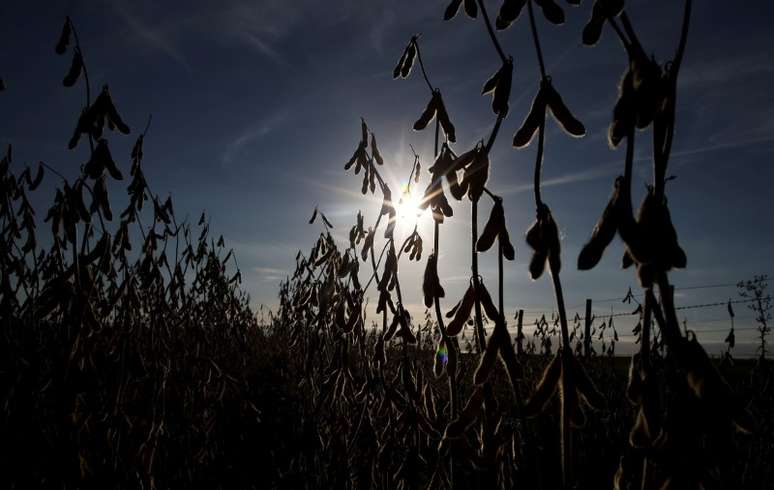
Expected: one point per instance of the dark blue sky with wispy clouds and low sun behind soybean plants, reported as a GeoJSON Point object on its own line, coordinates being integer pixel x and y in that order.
{"type": "Point", "coordinates": [256, 107]}
